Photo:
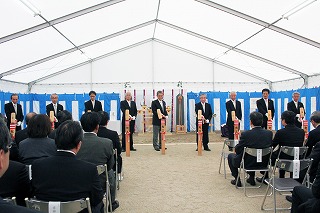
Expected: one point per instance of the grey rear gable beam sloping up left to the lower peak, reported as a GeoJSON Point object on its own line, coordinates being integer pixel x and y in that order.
{"type": "Point", "coordinates": [88, 62]}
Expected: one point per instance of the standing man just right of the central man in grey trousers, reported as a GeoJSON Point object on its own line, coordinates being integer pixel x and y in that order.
{"type": "Point", "coordinates": [206, 118]}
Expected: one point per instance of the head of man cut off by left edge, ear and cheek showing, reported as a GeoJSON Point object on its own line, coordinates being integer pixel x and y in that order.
{"type": "Point", "coordinates": [4, 149]}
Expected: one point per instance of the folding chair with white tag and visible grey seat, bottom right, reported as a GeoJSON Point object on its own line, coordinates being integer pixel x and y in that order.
{"type": "Point", "coordinates": [285, 184]}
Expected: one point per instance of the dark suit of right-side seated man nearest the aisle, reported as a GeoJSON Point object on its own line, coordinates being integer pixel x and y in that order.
{"type": "Point", "coordinates": [257, 138]}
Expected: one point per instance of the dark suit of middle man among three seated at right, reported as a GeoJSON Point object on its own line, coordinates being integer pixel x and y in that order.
{"type": "Point", "coordinates": [289, 136]}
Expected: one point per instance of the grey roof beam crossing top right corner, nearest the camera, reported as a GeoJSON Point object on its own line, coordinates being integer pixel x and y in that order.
{"type": "Point", "coordinates": [260, 22]}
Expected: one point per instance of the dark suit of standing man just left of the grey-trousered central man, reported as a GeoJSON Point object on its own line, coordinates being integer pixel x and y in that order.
{"type": "Point", "coordinates": [133, 112]}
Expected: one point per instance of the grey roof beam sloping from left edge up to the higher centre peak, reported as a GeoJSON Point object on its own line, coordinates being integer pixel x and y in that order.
{"type": "Point", "coordinates": [76, 48]}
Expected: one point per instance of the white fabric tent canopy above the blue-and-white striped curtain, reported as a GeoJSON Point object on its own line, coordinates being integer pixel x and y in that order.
{"type": "Point", "coordinates": [253, 41]}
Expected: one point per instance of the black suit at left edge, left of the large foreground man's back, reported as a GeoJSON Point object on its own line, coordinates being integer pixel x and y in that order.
{"type": "Point", "coordinates": [15, 182]}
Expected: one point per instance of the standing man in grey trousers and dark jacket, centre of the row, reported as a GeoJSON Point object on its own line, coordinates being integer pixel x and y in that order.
{"type": "Point", "coordinates": [159, 103]}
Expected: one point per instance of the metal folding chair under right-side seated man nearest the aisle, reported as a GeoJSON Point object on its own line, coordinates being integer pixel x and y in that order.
{"type": "Point", "coordinates": [263, 164]}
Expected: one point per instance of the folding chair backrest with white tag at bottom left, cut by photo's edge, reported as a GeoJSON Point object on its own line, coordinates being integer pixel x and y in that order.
{"type": "Point", "coordinates": [56, 206]}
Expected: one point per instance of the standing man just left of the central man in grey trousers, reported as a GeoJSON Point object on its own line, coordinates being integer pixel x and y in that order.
{"type": "Point", "coordinates": [131, 106]}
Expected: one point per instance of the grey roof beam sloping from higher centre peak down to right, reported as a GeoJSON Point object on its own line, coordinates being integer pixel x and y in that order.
{"type": "Point", "coordinates": [303, 75]}
